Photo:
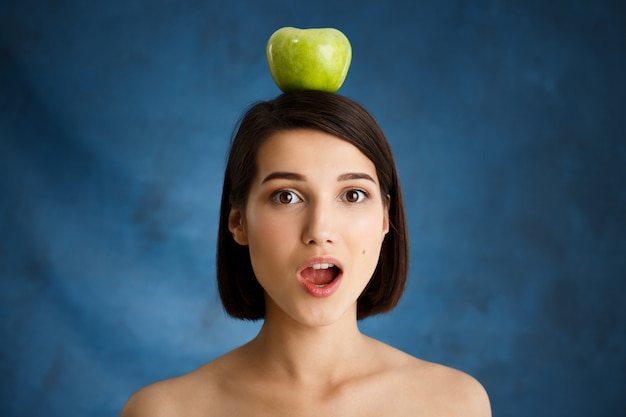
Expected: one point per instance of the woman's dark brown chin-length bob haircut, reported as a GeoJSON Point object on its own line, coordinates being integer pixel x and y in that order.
{"type": "Point", "coordinates": [241, 294]}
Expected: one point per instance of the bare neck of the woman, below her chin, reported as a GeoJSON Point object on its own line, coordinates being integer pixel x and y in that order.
{"type": "Point", "coordinates": [307, 354]}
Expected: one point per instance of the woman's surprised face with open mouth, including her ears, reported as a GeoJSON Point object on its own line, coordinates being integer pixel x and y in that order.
{"type": "Point", "coordinates": [314, 223]}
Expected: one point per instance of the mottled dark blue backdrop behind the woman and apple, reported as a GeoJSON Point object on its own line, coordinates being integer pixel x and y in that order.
{"type": "Point", "coordinates": [509, 124]}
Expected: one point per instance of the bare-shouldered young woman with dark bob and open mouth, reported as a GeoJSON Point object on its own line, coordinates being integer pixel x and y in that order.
{"type": "Point", "coordinates": [312, 238]}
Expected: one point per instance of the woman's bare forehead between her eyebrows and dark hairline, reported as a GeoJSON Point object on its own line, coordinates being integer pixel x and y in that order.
{"type": "Point", "coordinates": [311, 150]}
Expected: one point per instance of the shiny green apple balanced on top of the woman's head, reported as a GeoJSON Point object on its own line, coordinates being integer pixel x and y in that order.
{"type": "Point", "coordinates": [309, 59]}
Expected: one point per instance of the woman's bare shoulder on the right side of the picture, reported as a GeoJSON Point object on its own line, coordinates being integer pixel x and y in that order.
{"type": "Point", "coordinates": [439, 389]}
